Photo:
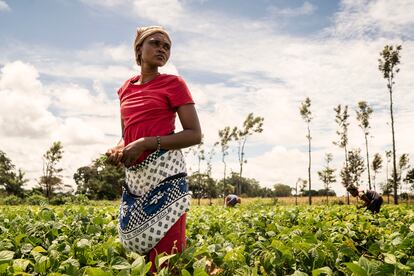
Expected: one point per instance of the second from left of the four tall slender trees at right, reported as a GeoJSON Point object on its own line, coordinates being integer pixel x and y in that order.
{"type": "Point", "coordinates": [341, 118]}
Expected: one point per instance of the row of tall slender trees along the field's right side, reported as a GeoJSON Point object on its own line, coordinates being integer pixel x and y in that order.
{"type": "Point", "coordinates": [354, 164]}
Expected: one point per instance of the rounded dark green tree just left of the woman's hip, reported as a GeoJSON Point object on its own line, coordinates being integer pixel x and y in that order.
{"type": "Point", "coordinates": [100, 180]}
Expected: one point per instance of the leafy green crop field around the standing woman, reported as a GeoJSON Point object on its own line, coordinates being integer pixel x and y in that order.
{"type": "Point", "coordinates": [251, 239]}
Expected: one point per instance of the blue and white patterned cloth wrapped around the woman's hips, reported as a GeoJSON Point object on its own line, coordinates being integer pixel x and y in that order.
{"type": "Point", "coordinates": [154, 198]}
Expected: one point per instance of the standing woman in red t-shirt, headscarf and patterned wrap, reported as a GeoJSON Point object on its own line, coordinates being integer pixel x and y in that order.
{"type": "Point", "coordinates": [155, 197]}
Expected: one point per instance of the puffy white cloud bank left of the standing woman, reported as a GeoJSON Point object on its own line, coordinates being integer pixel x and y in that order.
{"type": "Point", "coordinates": [85, 121]}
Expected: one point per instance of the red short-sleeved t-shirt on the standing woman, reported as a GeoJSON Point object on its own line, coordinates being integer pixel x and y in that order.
{"type": "Point", "coordinates": [149, 109]}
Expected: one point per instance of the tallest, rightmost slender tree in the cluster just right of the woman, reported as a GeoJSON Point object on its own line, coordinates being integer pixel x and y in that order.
{"type": "Point", "coordinates": [250, 126]}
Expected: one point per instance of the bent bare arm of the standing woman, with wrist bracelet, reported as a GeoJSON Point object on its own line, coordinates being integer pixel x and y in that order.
{"type": "Point", "coordinates": [189, 136]}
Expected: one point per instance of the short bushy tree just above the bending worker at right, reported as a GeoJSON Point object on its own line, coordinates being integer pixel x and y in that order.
{"type": "Point", "coordinates": [351, 174]}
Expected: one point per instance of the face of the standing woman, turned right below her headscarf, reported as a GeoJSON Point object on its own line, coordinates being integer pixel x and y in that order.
{"type": "Point", "coordinates": [155, 51]}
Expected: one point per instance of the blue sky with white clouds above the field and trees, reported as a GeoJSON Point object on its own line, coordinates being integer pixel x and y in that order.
{"type": "Point", "coordinates": [61, 63]}
